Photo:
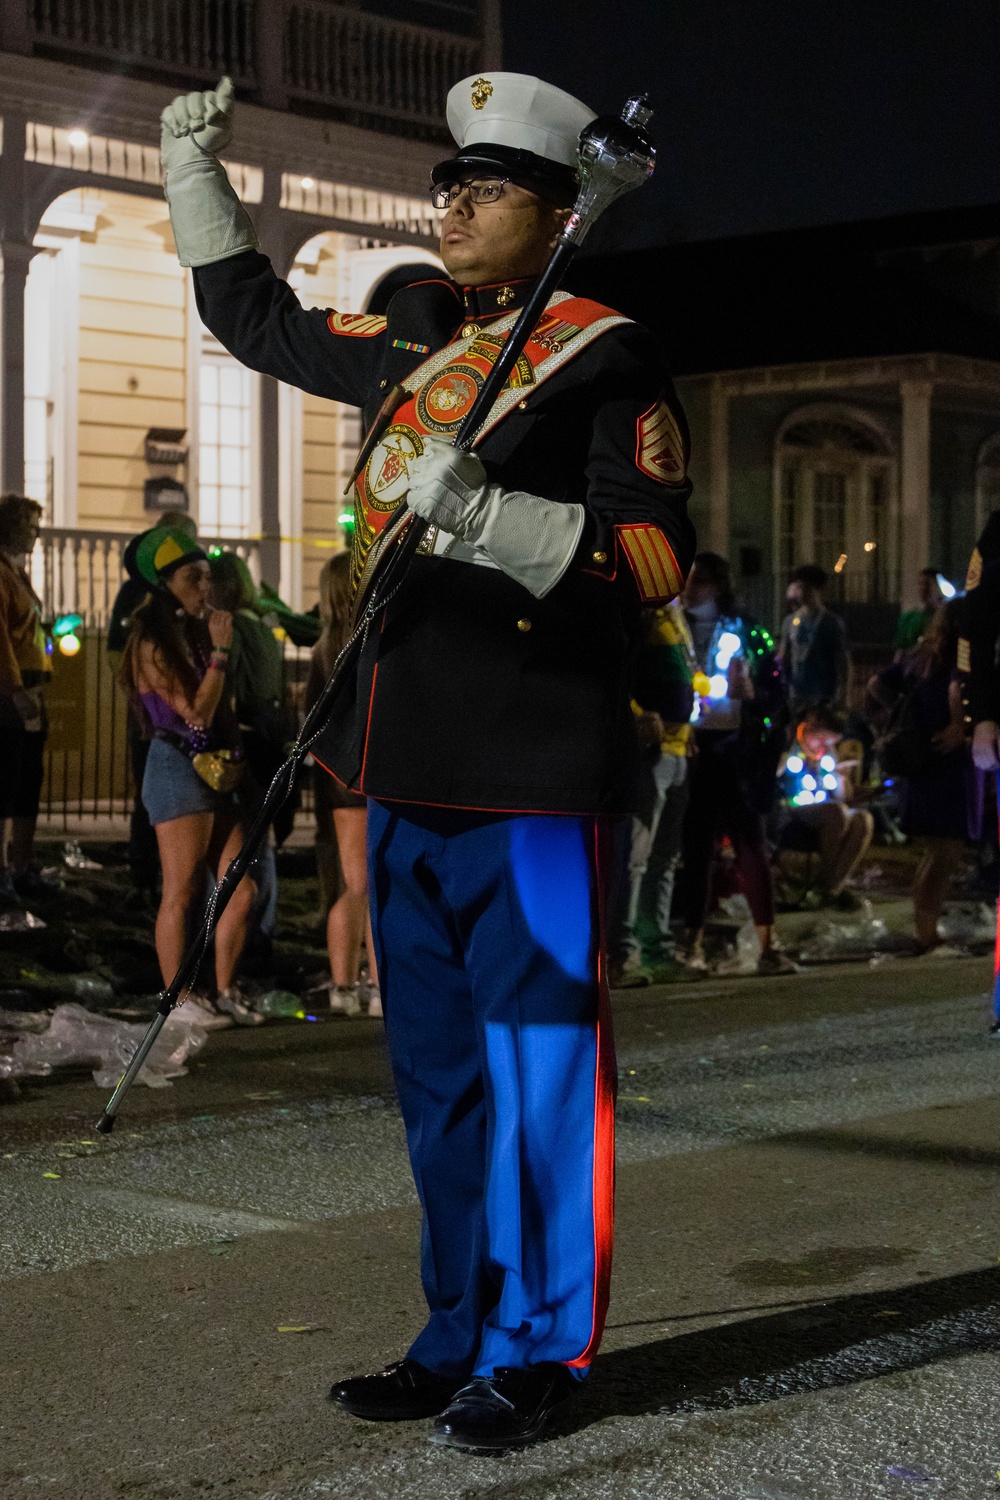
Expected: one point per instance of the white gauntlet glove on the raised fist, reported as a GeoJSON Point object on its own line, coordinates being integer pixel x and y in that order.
{"type": "Point", "coordinates": [209, 221]}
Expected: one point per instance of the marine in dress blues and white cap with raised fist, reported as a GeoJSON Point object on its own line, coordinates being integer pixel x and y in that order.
{"type": "Point", "coordinates": [491, 728]}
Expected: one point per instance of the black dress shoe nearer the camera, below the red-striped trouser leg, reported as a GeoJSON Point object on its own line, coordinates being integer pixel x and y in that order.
{"type": "Point", "coordinates": [509, 1409]}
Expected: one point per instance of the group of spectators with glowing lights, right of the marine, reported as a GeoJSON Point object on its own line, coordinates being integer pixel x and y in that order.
{"type": "Point", "coordinates": [761, 754]}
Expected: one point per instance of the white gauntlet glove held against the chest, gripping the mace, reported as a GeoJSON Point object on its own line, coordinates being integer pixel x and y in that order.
{"type": "Point", "coordinates": [531, 539]}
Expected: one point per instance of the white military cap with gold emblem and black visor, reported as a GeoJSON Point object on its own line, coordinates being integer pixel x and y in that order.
{"type": "Point", "coordinates": [516, 122]}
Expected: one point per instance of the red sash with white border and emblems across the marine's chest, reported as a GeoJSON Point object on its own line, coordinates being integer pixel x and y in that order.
{"type": "Point", "coordinates": [443, 389]}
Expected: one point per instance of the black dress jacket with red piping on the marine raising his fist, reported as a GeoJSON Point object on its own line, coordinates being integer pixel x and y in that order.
{"type": "Point", "coordinates": [476, 694]}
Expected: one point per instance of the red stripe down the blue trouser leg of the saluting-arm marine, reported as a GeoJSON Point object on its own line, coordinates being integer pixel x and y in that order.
{"type": "Point", "coordinates": [605, 1091]}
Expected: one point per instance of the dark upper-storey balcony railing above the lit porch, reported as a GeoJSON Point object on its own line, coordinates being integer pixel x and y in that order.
{"type": "Point", "coordinates": [316, 56]}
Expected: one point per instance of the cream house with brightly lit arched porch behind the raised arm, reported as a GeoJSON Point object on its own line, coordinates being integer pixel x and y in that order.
{"type": "Point", "coordinates": [116, 400]}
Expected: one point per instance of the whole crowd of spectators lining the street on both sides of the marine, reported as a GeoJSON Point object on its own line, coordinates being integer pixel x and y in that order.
{"type": "Point", "coordinates": [758, 752]}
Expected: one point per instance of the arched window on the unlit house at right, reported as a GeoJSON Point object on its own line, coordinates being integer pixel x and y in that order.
{"type": "Point", "coordinates": [834, 485]}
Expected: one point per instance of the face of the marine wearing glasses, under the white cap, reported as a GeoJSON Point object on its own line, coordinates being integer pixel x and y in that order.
{"type": "Point", "coordinates": [503, 241]}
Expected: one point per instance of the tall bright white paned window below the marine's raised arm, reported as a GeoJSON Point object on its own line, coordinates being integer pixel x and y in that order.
{"type": "Point", "coordinates": [226, 448]}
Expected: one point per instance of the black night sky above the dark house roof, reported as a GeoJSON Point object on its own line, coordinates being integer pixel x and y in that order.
{"type": "Point", "coordinates": [776, 115]}
